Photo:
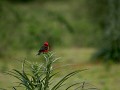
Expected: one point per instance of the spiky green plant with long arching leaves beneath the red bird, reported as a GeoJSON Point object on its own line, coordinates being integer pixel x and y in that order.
{"type": "Point", "coordinates": [41, 76]}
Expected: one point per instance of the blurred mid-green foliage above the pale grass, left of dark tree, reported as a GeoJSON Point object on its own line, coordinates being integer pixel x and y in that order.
{"type": "Point", "coordinates": [24, 26]}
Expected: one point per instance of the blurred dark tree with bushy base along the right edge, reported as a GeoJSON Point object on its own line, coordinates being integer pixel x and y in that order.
{"type": "Point", "coordinates": [110, 50]}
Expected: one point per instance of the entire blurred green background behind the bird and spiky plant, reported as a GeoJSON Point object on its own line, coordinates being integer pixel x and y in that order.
{"type": "Point", "coordinates": [79, 31]}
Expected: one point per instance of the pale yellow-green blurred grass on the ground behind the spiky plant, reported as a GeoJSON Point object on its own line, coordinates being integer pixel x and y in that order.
{"type": "Point", "coordinates": [71, 59]}
